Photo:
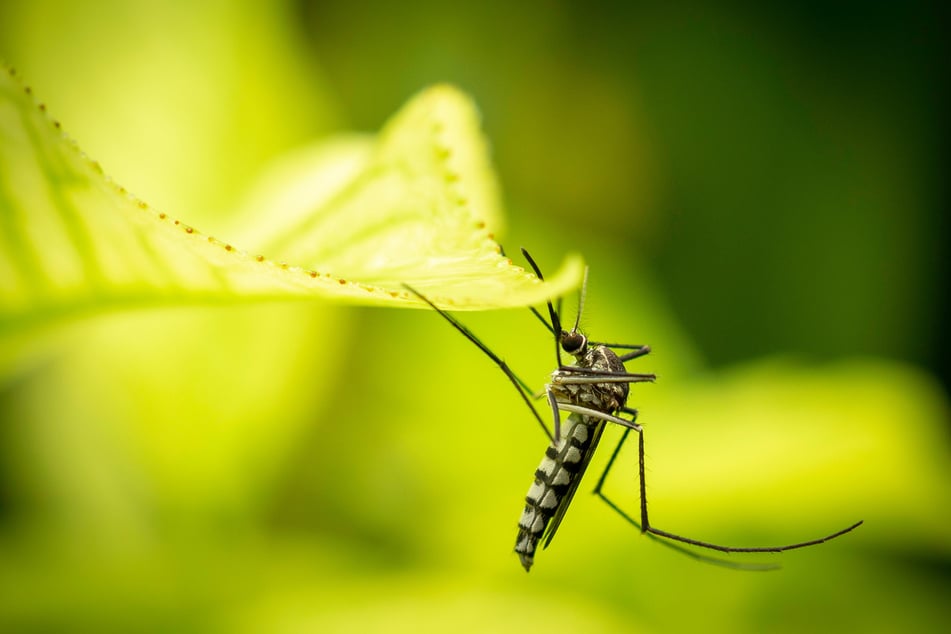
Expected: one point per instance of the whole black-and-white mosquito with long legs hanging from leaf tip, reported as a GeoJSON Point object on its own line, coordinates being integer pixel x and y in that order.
{"type": "Point", "coordinates": [592, 392]}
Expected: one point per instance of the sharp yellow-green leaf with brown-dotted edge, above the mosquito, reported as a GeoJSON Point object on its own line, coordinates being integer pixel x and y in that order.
{"type": "Point", "coordinates": [418, 204]}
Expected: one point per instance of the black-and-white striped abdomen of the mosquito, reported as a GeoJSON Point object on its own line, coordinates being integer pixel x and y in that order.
{"type": "Point", "coordinates": [556, 480]}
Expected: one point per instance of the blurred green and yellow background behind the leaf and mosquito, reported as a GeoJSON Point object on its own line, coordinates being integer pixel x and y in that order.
{"type": "Point", "coordinates": [760, 193]}
